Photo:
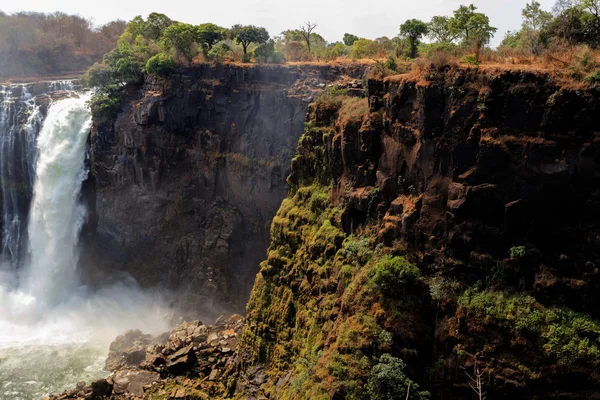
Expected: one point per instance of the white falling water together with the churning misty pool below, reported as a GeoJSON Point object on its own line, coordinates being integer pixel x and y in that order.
{"type": "Point", "coordinates": [53, 332]}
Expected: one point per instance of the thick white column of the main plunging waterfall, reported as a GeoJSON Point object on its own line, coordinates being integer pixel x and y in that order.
{"type": "Point", "coordinates": [56, 217]}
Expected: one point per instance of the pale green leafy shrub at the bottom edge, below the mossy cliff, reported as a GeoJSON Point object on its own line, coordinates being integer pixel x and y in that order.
{"type": "Point", "coordinates": [388, 381]}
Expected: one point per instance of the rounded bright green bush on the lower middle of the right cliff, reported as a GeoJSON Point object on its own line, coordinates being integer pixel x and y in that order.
{"type": "Point", "coordinates": [392, 275]}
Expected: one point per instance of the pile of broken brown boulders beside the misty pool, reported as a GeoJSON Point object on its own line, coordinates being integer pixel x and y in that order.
{"type": "Point", "coordinates": [146, 366]}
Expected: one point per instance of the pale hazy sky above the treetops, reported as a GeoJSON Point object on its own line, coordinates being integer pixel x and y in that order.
{"type": "Point", "coordinates": [365, 18]}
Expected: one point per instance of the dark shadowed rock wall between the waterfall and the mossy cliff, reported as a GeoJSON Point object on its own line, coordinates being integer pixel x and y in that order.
{"type": "Point", "coordinates": [191, 172]}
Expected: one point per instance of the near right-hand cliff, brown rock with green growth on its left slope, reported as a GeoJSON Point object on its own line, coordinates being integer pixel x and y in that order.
{"type": "Point", "coordinates": [450, 223]}
